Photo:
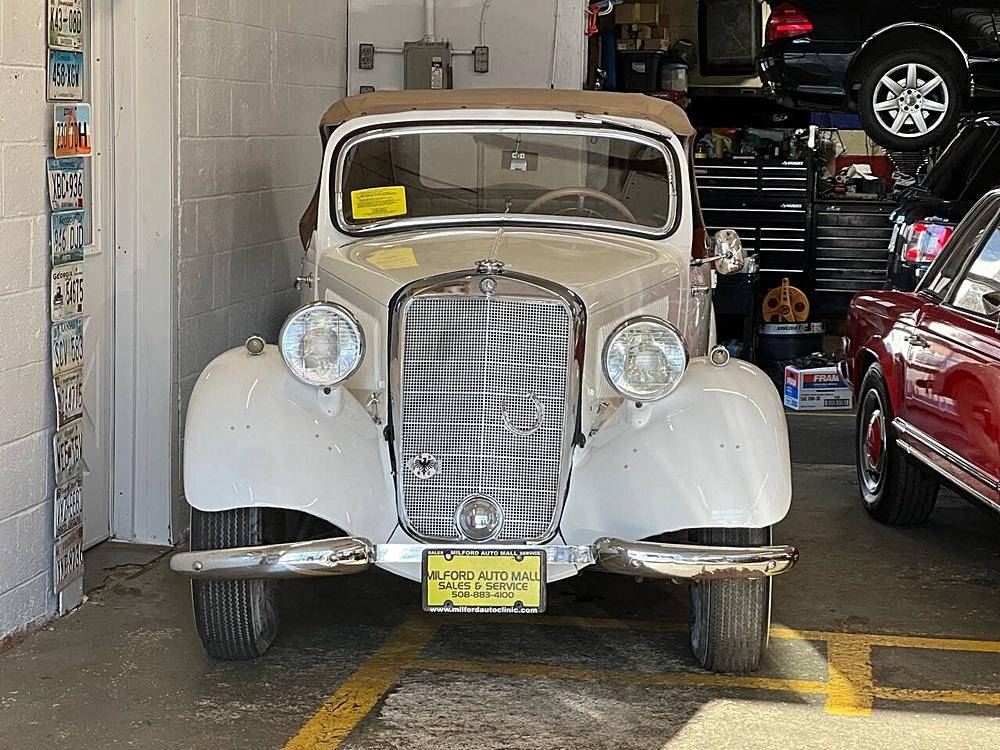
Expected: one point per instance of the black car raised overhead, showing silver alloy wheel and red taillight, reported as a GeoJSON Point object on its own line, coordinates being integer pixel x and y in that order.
{"type": "Point", "coordinates": [909, 69]}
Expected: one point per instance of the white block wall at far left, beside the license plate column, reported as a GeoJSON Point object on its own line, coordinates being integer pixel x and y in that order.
{"type": "Point", "coordinates": [26, 402]}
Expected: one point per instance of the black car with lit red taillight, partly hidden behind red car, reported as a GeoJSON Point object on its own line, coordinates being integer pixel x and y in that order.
{"type": "Point", "coordinates": [928, 214]}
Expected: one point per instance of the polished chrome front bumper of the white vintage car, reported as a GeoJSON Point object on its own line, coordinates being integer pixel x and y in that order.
{"type": "Point", "coordinates": [342, 556]}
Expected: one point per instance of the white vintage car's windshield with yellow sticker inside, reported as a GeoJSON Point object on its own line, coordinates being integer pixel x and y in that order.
{"type": "Point", "coordinates": [483, 174]}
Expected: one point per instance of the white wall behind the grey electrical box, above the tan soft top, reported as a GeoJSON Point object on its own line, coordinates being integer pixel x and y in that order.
{"type": "Point", "coordinates": [522, 36]}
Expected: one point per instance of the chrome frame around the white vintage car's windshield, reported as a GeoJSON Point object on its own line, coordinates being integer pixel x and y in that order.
{"type": "Point", "coordinates": [465, 220]}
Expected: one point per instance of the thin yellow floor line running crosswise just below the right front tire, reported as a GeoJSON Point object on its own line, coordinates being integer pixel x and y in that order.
{"type": "Point", "coordinates": [805, 687]}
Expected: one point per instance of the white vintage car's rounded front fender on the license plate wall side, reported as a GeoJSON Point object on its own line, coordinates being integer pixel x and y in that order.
{"type": "Point", "coordinates": [256, 436]}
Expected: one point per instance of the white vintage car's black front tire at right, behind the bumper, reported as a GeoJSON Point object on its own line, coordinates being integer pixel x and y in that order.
{"type": "Point", "coordinates": [730, 619]}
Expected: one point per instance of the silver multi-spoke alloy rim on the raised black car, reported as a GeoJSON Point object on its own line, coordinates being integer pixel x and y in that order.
{"type": "Point", "coordinates": [911, 100]}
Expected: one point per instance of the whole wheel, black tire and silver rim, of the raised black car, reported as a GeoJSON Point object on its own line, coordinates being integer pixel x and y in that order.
{"type": "Point", "coordinates": [947, 97]}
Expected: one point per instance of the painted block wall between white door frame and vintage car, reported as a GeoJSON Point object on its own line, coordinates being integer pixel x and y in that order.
{"type": "Point", "coordinates": [254, 78]}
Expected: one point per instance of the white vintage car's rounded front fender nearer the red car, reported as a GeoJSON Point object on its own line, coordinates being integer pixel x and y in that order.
{"type": "Point", "coordinates": [714, 453]}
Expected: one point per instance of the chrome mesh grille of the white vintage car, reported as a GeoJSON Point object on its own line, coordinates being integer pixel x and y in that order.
{"type": "Point", "coordinates": [466, 362]}
